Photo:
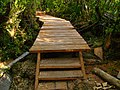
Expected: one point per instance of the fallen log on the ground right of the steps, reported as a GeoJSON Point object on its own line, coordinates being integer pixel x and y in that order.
{"type": "Point", "coordinates": [107, 77]}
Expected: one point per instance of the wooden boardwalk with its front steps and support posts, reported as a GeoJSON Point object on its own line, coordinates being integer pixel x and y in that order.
{"type": "Point", "coordinates": [58, 35]}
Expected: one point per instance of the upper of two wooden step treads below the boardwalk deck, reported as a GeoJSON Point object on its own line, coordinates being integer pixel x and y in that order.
{"type": "Point", "coordinates": [60, 63]}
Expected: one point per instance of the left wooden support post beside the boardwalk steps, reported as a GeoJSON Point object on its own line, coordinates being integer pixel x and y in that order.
{"type": "Point", "coordinates": [37, 71]}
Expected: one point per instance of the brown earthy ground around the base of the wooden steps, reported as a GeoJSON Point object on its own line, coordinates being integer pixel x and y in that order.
{"type": "Point", "coordinates": [23, 74]}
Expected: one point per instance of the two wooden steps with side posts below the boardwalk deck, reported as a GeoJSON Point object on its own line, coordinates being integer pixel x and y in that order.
{"type": "Point", "coordinates": [59, 75]}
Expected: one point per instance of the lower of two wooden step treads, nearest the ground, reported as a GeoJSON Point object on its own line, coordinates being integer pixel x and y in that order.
{"type": "Point", "coordinates": [60, 75]}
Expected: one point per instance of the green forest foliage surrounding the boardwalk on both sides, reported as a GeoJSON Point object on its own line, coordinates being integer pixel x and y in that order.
{"type": "Point", "coordinates": [96, 20]}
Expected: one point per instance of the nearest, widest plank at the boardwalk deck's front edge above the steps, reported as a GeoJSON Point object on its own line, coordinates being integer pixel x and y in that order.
{"type": "Point", "coordinates": [59, 48]}
